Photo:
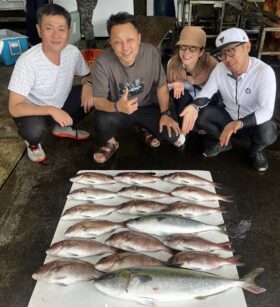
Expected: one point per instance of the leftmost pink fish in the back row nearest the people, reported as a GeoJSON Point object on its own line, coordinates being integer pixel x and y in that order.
{"type": "Point", "coordinates": [92, 178]}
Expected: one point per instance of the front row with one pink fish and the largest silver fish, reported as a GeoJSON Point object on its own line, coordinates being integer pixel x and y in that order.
{"type": "Point", "coordinates": [149, 285]}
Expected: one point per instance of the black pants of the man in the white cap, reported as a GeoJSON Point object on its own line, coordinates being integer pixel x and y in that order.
{"type": "Point", "coordinates": [213, 119]}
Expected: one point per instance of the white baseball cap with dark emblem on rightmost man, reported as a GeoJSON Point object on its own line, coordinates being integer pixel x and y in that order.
{"type": "Point", "coordinates": [230, 36]}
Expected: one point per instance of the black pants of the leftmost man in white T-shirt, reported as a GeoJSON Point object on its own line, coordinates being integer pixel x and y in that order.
{"type": "Point", "coordinates": [32, 128]}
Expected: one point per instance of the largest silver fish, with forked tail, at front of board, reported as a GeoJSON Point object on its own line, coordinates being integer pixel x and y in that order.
{"type": "Point", "coordinates": [149, 285]}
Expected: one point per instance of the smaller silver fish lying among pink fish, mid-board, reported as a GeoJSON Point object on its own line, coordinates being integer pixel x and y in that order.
{"type": "Point", "coordinates": [169, 224]}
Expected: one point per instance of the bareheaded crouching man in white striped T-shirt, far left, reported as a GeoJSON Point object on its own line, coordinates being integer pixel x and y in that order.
{"type": "Point", "coordinates": [41, 91]}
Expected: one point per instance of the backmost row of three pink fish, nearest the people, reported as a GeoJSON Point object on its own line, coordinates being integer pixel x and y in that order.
{"type": "Point", "coordinates": [94, 178]}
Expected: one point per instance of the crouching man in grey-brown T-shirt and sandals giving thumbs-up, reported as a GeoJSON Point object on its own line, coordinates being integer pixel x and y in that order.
{"type": "Point", "coordinates": [130, 89]}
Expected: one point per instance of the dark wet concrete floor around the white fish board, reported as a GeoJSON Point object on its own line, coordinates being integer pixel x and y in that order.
{"type": "Point", "coordinates": [33, 196]}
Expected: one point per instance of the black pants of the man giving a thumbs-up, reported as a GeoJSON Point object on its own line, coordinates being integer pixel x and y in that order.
{"type": "Point", "coordinates": [107, 124]}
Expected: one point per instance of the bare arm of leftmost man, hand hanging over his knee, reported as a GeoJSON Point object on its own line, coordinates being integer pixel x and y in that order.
{"type": "Point", "coordinates": [18, 107]}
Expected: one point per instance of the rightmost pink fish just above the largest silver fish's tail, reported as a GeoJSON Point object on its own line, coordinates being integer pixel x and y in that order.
{"type": "Point", "coordinates": [201, 261]}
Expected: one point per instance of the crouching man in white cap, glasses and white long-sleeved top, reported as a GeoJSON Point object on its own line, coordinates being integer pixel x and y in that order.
{"type": "Point", "coordinates": [248, 88]}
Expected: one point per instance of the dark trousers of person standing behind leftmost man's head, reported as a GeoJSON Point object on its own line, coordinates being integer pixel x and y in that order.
{"type": "Point", "coordinates": [31, 9]}
